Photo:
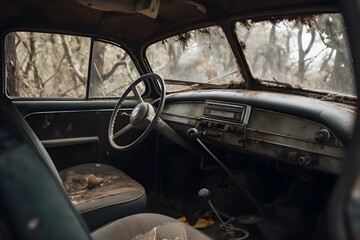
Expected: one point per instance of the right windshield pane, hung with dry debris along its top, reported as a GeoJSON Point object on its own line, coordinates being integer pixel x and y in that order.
{"type": "Point", "coordinates": [311, 52]}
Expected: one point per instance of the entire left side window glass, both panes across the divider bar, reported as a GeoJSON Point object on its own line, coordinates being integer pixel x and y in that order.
{"type": "Point", "coordinates": [44, 65]}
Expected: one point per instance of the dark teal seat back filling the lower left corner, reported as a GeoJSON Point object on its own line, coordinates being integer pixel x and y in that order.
{"type": "Point", "coordinates": [32, 199]}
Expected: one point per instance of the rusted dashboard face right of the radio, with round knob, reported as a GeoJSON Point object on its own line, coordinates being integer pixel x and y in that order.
{"type": "Point", "coordinates": [293, 140]}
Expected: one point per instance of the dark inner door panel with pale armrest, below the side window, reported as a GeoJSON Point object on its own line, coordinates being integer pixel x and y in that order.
{"type": "Point", "coordinates": [76, 132]}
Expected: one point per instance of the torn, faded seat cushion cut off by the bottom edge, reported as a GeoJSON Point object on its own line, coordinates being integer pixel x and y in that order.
{"type": "Point", "coordinates": [147, 226]}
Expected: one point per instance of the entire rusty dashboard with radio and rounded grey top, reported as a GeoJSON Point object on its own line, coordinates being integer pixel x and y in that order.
{"type": "Point", "coordinates": [297, 130]}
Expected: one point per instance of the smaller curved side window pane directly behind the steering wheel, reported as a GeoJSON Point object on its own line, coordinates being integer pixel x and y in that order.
{"type": "Point", "coordinates": [112, 71]}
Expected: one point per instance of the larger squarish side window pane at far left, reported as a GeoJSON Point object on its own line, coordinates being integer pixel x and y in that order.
{"type": "Point", "coordinates": [42, 65]}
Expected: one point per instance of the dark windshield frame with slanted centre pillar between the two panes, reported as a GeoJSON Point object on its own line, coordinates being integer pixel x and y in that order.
{"type": "Point", "coordinates": [250, 82]}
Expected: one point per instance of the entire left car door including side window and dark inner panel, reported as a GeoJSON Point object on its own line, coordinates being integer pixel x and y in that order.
{"type": "Point", "coordinates": [66, 88]}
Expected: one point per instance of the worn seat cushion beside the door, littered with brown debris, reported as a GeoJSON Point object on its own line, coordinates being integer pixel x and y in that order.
{"type": "Point", "coordinates": [102, 193]}
